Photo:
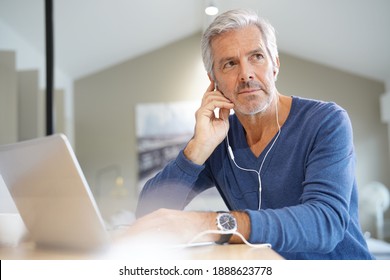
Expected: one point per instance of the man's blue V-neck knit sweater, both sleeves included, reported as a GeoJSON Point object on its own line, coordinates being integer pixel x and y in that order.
{"type": "Point", "coordinates": [309, 201]}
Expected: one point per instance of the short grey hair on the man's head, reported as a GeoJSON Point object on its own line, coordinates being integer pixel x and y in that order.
{"type": "Point", "coordinates": [236, 19]}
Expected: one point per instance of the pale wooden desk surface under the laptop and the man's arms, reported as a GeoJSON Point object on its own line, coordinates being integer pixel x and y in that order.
{"type": "Point", "coordinates": [27, 251]}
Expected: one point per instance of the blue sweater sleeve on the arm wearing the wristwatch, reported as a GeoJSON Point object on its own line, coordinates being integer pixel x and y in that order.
{"type": "Point", "coordinates": [321, 219]}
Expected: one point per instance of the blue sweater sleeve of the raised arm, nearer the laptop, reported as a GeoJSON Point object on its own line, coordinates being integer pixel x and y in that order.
{"type": "Point", "coordinates": [173, 187]}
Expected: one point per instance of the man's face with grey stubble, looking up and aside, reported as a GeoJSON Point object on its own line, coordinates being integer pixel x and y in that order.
{"type": "Point", "coordinates": [243, 70]}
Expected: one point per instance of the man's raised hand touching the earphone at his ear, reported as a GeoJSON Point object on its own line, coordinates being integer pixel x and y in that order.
{"type": "Point", "coordinates": [209, 130]}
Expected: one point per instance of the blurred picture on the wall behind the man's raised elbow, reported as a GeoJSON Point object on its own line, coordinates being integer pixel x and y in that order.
{"type": "Point", "coordinates": [162, 130]}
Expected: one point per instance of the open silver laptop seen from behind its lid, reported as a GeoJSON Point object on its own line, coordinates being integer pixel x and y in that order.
{"type": "Point", "coordinates": [51, 194]}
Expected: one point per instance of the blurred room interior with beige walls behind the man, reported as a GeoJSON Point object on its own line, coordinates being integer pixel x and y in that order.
{"type": "Point", "coordinates": [120, 65]}
